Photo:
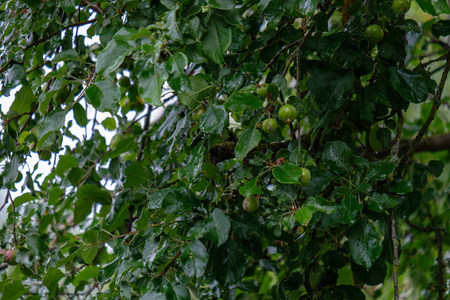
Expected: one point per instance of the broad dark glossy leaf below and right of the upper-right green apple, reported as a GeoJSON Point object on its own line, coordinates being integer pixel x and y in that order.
{"type": "Point", "coordinates": [412, 86]}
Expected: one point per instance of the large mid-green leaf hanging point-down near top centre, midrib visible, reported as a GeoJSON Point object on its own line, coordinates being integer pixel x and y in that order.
{"type": "Point", "coordinates": [217, 39]}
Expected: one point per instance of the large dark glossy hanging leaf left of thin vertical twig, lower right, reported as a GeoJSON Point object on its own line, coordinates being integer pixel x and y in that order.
{"type": "Point", "coordinates": [365, 243]}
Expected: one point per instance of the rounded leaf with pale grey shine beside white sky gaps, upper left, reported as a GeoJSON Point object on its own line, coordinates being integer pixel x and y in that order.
{"type": "Point", "coordinates": [104, 95]}
